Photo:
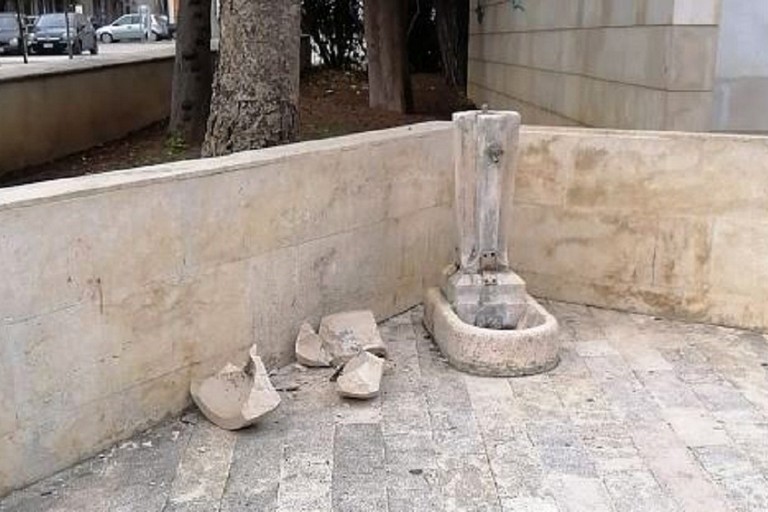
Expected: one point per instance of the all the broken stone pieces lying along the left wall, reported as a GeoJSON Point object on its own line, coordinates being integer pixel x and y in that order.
{"type": "Point", "coordinates": [239, 396]}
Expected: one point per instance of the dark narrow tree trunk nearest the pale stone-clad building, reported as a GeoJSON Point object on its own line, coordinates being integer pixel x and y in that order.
{"type": "Point", "coordinates": [453, 34]}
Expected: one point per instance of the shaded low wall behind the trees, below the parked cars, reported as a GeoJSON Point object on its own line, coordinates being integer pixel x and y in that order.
{"type": "Point", "coordinates": [50, 113]}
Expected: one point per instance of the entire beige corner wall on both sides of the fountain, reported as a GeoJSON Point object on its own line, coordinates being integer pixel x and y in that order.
{"type": "Point", "coordinates": [119, 288]}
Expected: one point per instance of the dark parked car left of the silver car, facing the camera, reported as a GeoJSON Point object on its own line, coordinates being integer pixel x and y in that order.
{"type": "Point", "coordinates": [50, 34]}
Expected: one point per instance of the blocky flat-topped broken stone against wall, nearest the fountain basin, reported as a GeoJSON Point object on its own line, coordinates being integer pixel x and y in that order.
{"type": "Point", "coordinates": [344, 335]}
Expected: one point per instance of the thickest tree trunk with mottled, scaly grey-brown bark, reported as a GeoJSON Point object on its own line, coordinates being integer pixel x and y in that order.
{"type": "Point", "coordinates": [256, 89]}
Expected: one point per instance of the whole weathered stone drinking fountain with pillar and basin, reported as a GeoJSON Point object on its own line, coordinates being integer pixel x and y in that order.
{"type": "Point", "coordinates": [482, 318]}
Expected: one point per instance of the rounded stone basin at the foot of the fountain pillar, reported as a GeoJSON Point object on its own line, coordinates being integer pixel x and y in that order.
{"type": "Point", "coordinates": [531, 348]}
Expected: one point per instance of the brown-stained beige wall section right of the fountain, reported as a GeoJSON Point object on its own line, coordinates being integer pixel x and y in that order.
{"type": "Point", "coordinates": [662, 223]}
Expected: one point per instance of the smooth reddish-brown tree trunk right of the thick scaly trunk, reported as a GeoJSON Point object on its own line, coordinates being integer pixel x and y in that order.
{"type": "Point", "coordinates": [386, 27]}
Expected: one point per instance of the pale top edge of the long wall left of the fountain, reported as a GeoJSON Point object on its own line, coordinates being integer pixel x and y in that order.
{"type": "Point", "coordinates": [89, 185]}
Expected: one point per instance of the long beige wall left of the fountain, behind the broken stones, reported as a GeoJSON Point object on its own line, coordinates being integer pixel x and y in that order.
{"type": "Point", "coordinates": [117, 289]}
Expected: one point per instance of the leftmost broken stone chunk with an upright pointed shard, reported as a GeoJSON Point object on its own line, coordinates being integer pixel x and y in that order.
{"type": "Point", "coordinates": [236, 397]}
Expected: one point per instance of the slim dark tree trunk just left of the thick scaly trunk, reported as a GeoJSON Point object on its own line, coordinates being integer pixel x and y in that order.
{"type": "Point", "coordinates": [193, 72]}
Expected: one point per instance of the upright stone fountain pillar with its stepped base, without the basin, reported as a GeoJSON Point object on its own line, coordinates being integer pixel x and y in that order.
{"type": "Point", "coordinates": [483, 290]}
